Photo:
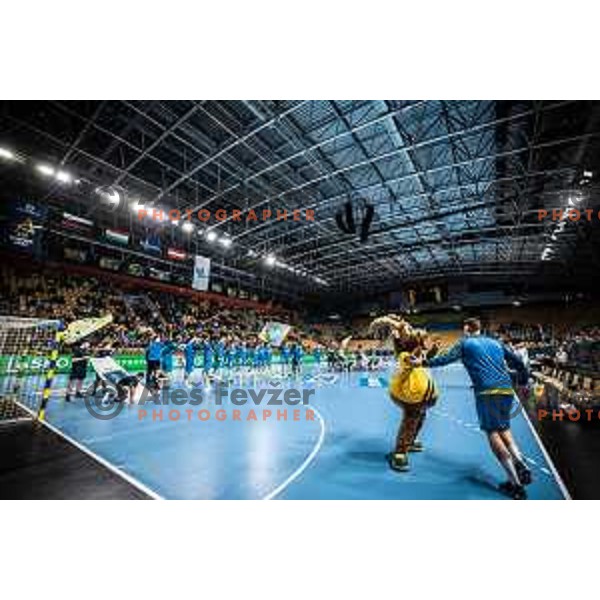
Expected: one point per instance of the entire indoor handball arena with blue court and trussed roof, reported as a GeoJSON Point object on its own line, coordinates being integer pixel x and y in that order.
{"type": "Point", "coordinates": [382, 299]}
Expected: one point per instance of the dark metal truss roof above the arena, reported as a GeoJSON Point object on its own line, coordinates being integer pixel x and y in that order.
{"type": "Point", "coordinates": [455, 185]}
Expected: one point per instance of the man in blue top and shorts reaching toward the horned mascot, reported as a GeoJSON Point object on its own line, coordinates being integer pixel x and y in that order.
{"type": "Point", "coordinates": [487, 361]}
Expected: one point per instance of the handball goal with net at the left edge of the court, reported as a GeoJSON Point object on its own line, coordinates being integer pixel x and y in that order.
{"type": "Point", "coordinates": [28, 354]}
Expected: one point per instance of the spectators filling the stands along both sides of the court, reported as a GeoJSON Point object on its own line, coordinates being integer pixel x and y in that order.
{"type": "Point", "coordinates": [141, 315]}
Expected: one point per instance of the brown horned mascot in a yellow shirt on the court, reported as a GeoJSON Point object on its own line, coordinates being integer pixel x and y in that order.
{"type": "Point", "coordinates": [411, 387]}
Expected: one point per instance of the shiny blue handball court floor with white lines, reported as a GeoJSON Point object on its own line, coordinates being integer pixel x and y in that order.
{"type": "Point", "coordinates": [340, 454]}
